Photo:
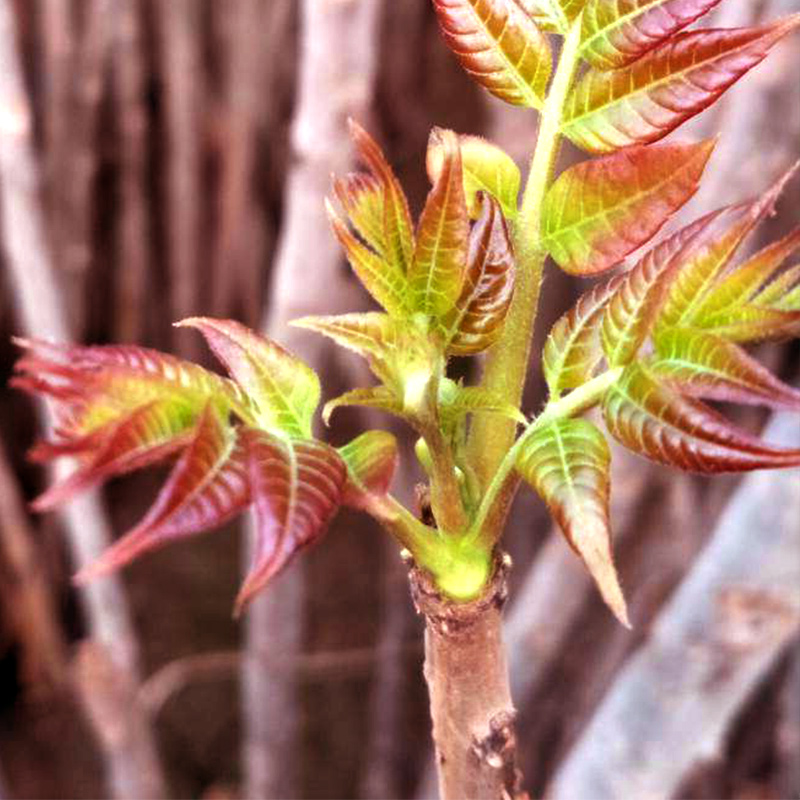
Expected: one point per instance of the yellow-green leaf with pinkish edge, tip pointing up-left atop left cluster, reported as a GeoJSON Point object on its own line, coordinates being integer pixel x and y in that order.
{"type": "Point", "coordinates": [285, 389]}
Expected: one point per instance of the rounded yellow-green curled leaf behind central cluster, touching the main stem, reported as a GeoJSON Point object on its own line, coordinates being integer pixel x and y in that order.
{"type": "Point", "coordinates": [486, 168]}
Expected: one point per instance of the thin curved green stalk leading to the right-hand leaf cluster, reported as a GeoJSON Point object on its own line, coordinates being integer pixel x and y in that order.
{"type": "Point", "coordinates": [497, 498]}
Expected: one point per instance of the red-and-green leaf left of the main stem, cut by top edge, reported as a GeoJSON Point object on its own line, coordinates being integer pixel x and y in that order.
{"type": "Point", "coordinates": [499, 46]}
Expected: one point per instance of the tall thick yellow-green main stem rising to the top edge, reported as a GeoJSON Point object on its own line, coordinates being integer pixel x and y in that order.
{"type": "Point", "coordinates": [507, 362]}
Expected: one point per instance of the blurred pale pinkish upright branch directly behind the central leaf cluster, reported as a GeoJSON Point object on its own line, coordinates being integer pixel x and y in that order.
{"type": "Point", "coordinates": [335, 82]}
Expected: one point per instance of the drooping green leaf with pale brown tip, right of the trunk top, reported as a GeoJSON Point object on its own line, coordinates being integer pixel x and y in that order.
{"type": "Point", "coordinates": [567, 463]}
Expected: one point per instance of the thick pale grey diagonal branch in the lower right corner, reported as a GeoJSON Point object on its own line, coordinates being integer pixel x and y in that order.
{"type": "Point", "coordinates": [708, 651]}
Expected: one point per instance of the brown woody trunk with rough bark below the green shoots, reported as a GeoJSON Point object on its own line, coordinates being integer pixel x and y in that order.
{"type": "Point", "coordinates": [467, 676]}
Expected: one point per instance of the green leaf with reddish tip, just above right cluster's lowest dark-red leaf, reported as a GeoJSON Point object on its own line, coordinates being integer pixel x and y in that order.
{"type": "Point", "coordinates": [702, 365]}
